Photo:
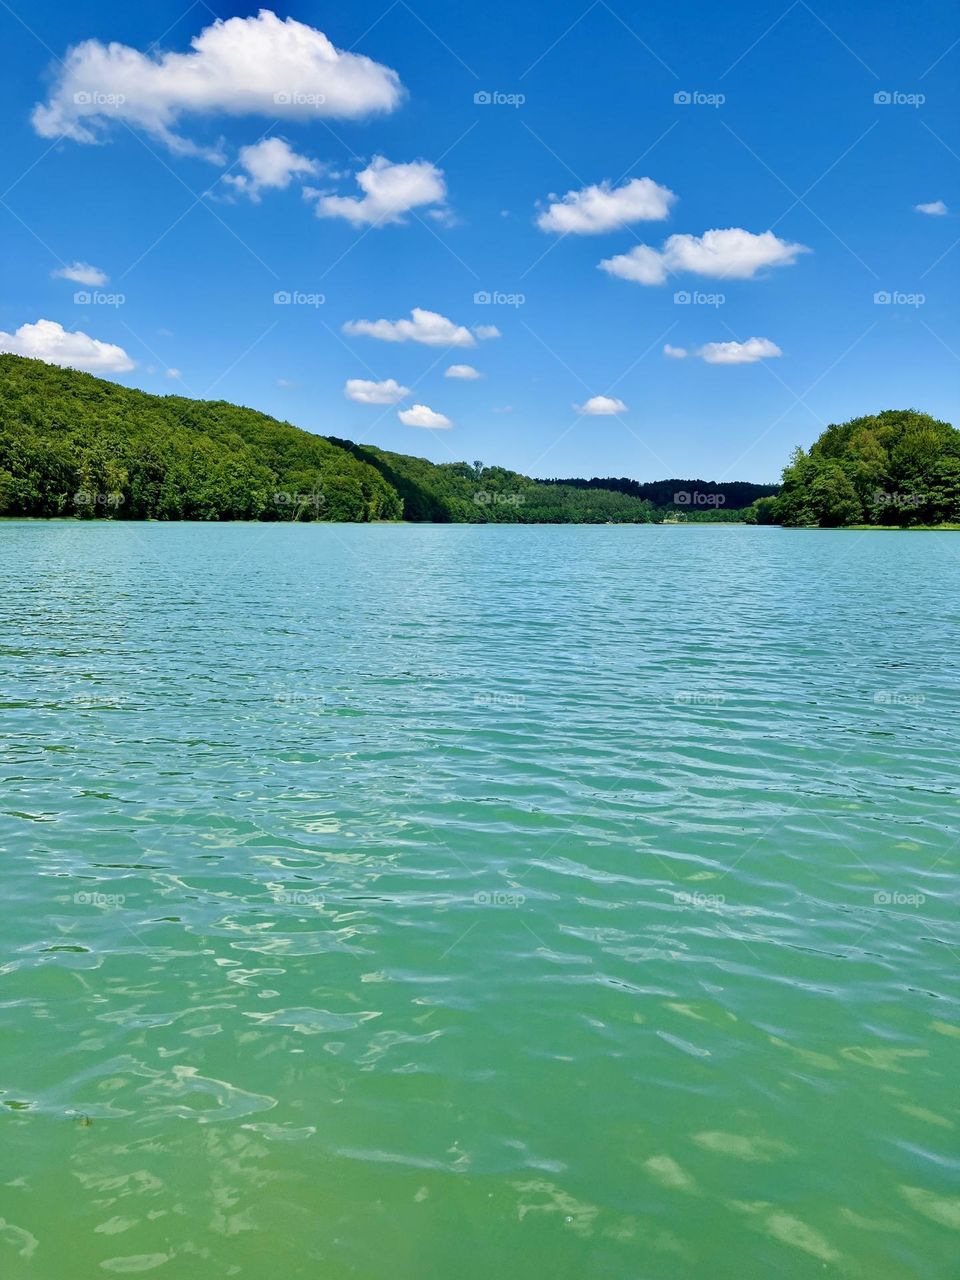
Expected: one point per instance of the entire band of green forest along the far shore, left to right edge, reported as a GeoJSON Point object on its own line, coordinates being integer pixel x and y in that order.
{"type": "Point", "coordinates": [72, 445]}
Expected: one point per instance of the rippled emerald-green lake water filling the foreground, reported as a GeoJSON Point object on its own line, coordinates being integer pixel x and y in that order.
{"type": "Point", "coordinates": [408, 903]}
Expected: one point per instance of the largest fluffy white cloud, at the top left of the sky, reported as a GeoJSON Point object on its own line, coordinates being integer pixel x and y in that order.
{"type": "Point", "coordinates": [263, 66]}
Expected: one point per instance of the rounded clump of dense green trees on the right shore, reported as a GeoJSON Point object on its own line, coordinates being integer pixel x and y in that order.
{"type": "Point", "coordinates": [898, 468]}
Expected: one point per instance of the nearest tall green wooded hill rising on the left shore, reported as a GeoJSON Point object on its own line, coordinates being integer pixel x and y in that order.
{"type": "Point", "coordinates": [76, 445]}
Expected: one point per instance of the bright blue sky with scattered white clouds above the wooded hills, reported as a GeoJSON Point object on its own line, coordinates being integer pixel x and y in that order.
{"type": "Point", "coordinates": [199, 188]}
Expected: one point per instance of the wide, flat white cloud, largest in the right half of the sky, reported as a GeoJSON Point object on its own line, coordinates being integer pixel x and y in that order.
{"type": "Point", "coordinates": [729, 254]}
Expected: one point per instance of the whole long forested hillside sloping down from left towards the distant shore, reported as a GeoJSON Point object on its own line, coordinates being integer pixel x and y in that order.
{"type": "Point", "coordinates": [72, 445]}
